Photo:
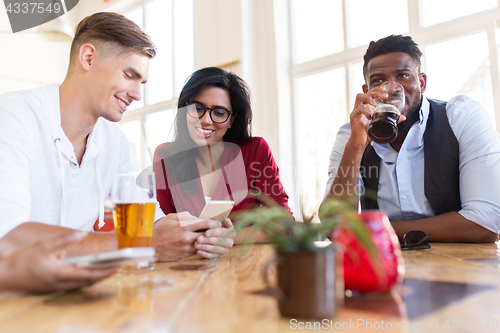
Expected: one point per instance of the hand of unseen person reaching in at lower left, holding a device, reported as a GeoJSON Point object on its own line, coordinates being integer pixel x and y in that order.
{"type": "Point", "coordinates": [37, 267]}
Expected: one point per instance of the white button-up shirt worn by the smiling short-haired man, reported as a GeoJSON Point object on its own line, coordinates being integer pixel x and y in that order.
{"type": "Point", "coordinates": [40, 178]}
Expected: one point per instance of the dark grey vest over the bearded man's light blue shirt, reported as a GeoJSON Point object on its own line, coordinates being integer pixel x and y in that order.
{"type": "Point", "coordinates": [441, 175]}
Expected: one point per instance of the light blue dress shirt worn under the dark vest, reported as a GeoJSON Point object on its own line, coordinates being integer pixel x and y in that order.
{"type": "Point", "coordinates": [401, 179]}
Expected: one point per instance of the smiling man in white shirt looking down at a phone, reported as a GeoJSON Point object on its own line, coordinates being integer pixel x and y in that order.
{"type": "Point", "coordinates": [60, 150]}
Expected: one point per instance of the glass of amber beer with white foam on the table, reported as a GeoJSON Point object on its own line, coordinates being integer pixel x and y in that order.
{"type": "Point", "coordinates": [134, 200]}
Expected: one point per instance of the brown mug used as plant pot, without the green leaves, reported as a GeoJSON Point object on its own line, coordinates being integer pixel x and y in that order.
{"type": "Point", "coordinates": [308, 284]}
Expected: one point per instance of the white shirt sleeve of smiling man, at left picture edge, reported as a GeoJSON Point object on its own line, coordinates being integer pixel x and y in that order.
{"type": "Point", "coordinates": [18, 129]}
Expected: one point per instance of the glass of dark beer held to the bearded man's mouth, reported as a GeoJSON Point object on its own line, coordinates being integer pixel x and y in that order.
{"type": "Point", "coordinates": [384, 125]}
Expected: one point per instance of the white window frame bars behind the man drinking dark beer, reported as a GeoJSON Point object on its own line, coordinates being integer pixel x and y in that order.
{"type": "Point", "coordinates": [485, 21]}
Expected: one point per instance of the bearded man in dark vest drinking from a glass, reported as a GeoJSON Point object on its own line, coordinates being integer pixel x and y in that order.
{"type": "Point", "coordinates": [441, 174]}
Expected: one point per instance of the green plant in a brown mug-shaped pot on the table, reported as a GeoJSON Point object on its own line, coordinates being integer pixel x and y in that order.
{"type": "Point", "coordinates": [308, 283]}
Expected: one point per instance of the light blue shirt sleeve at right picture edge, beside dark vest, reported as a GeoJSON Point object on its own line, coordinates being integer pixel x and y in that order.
{"type": "Point", "coordinates": [479, 162]}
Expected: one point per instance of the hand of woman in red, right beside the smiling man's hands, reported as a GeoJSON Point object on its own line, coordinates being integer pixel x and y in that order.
{"type": "Point", "coordinates": [216, 241]}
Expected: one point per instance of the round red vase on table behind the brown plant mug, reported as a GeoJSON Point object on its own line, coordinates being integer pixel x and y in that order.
{"type": "Point", "coordinates": [363, 272]}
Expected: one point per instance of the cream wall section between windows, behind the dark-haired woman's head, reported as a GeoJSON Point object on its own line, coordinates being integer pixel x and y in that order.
{"type": "Point", "coordinates": [228, 31]}
